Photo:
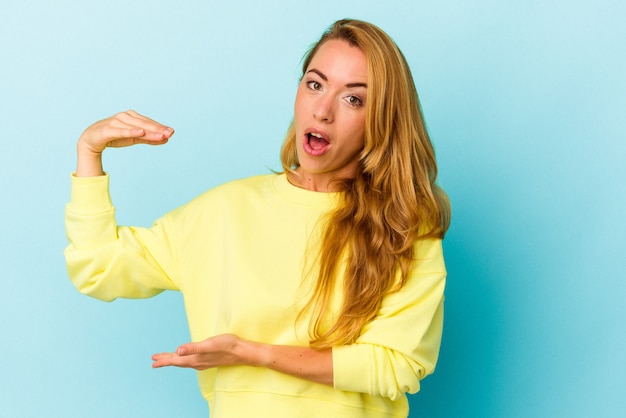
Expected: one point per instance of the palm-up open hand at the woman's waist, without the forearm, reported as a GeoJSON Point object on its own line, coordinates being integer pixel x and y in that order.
{"type": "Point", "coordinates": [221, 350]}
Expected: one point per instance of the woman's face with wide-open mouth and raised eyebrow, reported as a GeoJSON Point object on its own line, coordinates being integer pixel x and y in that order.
{"type": "Point", "coordinates": [329, 115]}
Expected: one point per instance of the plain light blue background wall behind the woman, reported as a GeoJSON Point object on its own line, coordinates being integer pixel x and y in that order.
{"type": "Point", "coordinates": [526, 105]}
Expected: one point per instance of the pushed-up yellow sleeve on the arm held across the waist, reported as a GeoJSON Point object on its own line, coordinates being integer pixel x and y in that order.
{"type": "Point", "coordinates": [401, 345]}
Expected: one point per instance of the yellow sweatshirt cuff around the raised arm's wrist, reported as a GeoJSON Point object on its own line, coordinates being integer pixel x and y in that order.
{"type": "Point", "coordinates": [90, 195]}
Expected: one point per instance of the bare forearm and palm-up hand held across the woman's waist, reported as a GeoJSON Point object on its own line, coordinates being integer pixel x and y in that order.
{"type": "Point", "coordinates": [230, 350]}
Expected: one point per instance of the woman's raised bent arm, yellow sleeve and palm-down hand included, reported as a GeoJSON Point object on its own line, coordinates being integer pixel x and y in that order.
{"type": "Point", "coordinates": [103, 260]}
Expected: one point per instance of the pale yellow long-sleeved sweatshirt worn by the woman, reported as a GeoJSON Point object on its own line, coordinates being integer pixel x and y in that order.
{"type": "Point", "coordinates": [237, 253]}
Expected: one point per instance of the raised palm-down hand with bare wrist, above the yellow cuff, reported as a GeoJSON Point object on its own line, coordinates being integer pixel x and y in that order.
{"type": "Point", "coordinates": [121, 130]}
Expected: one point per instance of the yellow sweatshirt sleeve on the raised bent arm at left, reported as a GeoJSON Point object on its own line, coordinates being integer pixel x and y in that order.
{"type": "Point", "coordinates": [107, 261]}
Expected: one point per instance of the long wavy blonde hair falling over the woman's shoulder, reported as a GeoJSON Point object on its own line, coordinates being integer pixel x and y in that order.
{"type": "Point", "coordinates": [391, 203]}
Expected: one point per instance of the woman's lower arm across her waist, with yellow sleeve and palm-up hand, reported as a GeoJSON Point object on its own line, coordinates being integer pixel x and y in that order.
{"type": "Point", "coordinates": [397, 349]}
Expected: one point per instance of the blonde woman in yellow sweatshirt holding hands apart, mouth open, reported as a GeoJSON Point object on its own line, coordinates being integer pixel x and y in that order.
{"type": "Point", "coordinates": [313, 292]}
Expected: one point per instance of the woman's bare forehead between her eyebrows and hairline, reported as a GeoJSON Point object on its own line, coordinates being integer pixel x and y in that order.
{"type": "Point", "coordinates": [337, 59]}
